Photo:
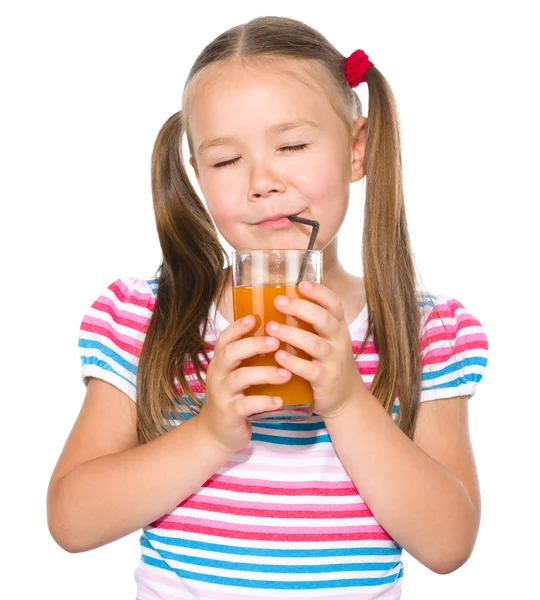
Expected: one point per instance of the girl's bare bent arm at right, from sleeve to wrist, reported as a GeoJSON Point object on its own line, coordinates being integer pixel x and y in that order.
{"type": "Point", "coordinates": [425, 492]}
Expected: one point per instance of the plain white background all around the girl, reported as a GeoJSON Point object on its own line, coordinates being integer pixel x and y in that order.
{"type": "Point", "coordinates": [86, 87]}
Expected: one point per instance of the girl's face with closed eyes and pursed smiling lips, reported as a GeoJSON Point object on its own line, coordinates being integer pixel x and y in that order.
{"type": "Point", "coordinates": [265, 177]}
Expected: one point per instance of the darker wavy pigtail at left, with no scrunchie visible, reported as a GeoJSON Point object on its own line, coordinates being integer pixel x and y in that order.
{"type": "Point", "coordinates": [189, 275]}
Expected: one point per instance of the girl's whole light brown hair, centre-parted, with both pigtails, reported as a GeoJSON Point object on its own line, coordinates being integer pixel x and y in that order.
{"type": "Point", "coordinates": [191, 274]}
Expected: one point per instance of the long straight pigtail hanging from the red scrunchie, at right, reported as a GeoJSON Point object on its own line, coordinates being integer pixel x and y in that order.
{"type": "Point", "coordinates": [389, 273]}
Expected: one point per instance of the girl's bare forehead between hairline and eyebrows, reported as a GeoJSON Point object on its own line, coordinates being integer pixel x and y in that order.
{"type": "Point", "coordinates": [245, 99]}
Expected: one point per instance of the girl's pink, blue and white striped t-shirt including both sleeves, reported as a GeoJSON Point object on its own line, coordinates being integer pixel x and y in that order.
{"type": "Point", "coordinates": [281, 519]}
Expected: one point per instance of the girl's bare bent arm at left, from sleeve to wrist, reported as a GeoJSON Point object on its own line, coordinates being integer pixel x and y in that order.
{"type": "Point", "coordinates": [106, 485]}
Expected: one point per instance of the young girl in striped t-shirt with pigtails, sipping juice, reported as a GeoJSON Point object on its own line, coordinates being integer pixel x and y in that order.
{"type": "Point", "coordinates": [233, 510]}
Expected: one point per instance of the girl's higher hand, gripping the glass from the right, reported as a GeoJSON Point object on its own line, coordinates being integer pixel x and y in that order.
{"type": "Point", "coordinates": [332, 372]}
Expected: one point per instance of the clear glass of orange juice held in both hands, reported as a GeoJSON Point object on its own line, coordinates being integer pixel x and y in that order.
{"type": "Point", "coordinates": [258, 277]}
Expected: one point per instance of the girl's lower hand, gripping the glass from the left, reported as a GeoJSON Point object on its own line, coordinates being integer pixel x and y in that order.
{"type": "Point", "coordinates": [225, 409]}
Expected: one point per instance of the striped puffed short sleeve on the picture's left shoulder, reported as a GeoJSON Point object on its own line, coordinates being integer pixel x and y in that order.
{"type": "Point", "coordinates": [112, 333]}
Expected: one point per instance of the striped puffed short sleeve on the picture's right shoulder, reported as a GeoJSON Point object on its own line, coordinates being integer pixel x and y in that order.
{"type": "Point", "coordinates": [454, 349]}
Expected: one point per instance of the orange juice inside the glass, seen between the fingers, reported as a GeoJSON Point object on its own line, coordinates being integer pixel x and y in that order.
{"type": "Point", "coordinates": [259, 301]}
